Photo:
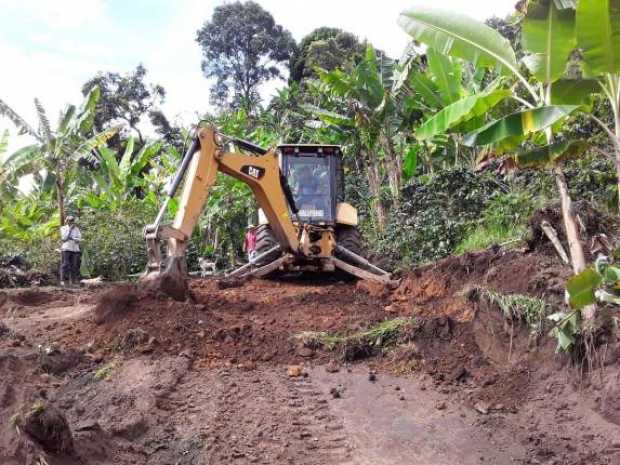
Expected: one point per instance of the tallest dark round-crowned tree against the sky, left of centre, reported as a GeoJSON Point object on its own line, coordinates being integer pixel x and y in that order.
{"type": "Point", "coordinates": [242, 47]}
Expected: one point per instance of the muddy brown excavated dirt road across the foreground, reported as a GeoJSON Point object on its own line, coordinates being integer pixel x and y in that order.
{"type": "Point", "coordinates": [225, 378]}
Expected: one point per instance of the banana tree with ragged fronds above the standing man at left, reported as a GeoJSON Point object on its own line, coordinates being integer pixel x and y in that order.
{"type": "Point", "coordinates": [56, 152]}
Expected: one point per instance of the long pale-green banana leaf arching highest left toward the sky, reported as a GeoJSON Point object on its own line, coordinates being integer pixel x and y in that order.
{"type": "Point", "coordinates": [458, 35]}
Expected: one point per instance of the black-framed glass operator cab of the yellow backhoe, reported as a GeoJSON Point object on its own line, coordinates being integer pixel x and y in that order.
{"type": "Point", "coordinates": [314, 173]}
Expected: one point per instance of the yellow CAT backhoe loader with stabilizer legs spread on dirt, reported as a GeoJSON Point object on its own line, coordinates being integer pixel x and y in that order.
{"type": "Point", "coordinates": [304, 223]}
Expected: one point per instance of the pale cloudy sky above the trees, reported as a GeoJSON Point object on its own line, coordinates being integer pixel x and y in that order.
{"type": "Point", "coordinates": [49, 48]}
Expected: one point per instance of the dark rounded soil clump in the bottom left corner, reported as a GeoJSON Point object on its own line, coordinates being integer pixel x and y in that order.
{"type": "Point", "coordinates": [48, 427]}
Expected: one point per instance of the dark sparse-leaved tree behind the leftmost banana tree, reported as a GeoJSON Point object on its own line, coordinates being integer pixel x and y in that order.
{"type": "Point", "coordinates": [125, 101]}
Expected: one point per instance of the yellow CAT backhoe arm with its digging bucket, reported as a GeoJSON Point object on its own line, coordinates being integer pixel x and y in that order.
{"type": "Point", "coordinates": [208, 155]}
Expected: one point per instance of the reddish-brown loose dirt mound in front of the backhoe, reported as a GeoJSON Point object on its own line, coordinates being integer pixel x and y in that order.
{"type": "Point", "coordinates": [251, 323]}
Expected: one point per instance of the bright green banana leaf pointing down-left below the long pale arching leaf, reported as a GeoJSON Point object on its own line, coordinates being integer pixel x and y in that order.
{"type": "Point", "coordinates": [459, 112]}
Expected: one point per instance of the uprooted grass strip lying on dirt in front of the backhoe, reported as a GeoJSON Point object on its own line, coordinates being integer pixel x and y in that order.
{"type": "Point", "coordinates": [381, 335]}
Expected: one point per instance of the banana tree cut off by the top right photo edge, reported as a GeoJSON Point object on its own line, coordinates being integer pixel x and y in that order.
{"type": "Point", "coordinates": [598, 37]}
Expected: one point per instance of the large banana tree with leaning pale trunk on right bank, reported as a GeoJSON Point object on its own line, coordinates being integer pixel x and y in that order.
{"type": "Point", "coordinates": [548, 38]}
